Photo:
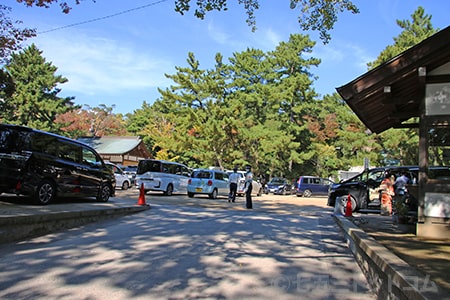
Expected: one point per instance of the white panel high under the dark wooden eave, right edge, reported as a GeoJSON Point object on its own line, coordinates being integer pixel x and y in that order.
{"type": "Point", "coordinates": [437, 99]}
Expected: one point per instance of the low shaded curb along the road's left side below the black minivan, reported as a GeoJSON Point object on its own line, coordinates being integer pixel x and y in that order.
{"type": "Point", "coordinates": [18, 228]}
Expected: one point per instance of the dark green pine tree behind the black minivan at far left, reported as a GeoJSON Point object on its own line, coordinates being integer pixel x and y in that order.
{"type": "Point", "coordinates": [34, 101]}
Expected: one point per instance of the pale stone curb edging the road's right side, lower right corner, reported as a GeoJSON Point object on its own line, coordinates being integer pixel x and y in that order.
{"type": "Point", "coordinates": [389, 276]}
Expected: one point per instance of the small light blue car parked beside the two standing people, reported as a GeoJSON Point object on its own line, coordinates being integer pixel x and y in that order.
{"type": "Point", "coordinates": [208, 182]}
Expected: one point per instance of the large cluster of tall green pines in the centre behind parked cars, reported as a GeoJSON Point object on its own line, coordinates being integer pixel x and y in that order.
{"type": "Point", "coordinates": [250, 110]}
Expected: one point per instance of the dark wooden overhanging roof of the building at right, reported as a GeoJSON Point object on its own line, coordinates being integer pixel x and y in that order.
{"type": "Point", "coordinates": [392, 93]}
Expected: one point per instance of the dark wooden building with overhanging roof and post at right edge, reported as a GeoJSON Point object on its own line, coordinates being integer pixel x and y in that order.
{"type": "Point", "coordinates": [414, 85]}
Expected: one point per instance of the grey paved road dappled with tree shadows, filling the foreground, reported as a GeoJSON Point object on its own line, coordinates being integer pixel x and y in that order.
{"type": "Point", "coordinates": [191, 249]}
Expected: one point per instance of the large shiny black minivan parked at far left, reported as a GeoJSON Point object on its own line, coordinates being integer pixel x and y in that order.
{"type": "Point", "coordinates": [45, 165]}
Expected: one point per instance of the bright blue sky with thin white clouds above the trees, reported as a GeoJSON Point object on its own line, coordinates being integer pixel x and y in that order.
{"type": "Point", "coordinates": [121, 60]}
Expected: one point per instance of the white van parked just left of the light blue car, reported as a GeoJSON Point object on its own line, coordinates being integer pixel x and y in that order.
{"type": "Point", "coordinates": [164, 176]}
